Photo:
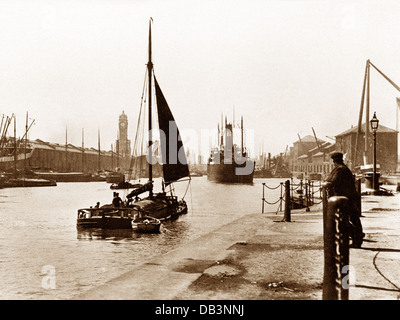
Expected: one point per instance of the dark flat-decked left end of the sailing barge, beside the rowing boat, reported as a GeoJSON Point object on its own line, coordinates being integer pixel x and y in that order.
{"type": "Point", "coordinates": [106, 217]}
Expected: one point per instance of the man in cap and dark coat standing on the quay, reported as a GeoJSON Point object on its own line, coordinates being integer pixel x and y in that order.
{"type": "Point", "coordinates": [343, 184]}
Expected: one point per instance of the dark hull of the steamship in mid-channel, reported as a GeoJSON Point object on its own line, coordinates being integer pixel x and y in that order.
{"type": "Point", "coordinates": [230, 173]}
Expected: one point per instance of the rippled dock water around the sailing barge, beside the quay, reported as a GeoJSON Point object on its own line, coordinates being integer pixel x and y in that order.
{"type": "Point", "coordinates": [39, 230]}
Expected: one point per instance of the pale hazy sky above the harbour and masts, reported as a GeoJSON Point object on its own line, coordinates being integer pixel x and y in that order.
{"type": "Point", "coordinates": [286, 66]}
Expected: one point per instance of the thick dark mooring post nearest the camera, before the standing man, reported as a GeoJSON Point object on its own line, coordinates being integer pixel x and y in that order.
{"type": "Point", "coordinates": [336, 249]}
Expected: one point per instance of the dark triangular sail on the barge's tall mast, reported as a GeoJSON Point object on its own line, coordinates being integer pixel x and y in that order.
{"type": "Point", "coordinates": [173, 154]}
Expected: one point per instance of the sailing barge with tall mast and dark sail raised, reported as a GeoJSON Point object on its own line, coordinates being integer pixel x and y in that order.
{"type": "Point", "coordinates": [162, 205]}
